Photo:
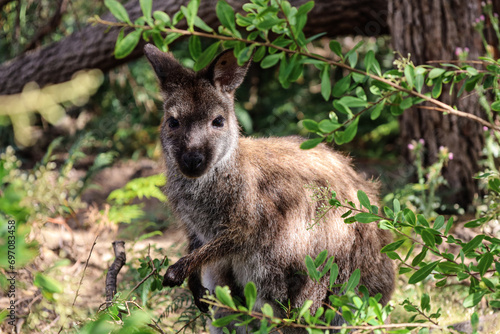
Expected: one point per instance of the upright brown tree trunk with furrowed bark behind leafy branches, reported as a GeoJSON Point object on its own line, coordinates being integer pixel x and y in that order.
{"type": "Point", "coordinates": [432, 30]}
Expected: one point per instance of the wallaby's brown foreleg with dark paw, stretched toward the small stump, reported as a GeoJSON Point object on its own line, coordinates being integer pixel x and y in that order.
{"type": "Point", "coordinates": [221, 246]}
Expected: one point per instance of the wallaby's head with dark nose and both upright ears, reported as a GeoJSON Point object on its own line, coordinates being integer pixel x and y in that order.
{"type": "Point", "coordinates": [199, 128]}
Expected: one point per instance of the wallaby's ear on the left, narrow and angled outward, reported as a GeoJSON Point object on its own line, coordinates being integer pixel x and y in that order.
{"type": "Point", "coordinates": [168, 70]}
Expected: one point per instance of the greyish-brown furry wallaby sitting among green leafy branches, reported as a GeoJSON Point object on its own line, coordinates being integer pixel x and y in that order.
{"type": "Point", "coordinates": [243, 201]}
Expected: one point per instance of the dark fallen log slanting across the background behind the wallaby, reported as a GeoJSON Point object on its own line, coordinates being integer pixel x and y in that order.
{"type": "Point", "coordinates": [93, 47]}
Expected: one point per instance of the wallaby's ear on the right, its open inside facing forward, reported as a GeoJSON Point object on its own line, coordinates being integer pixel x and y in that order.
{"type": "Point", "coordinates": [224, 71]}
